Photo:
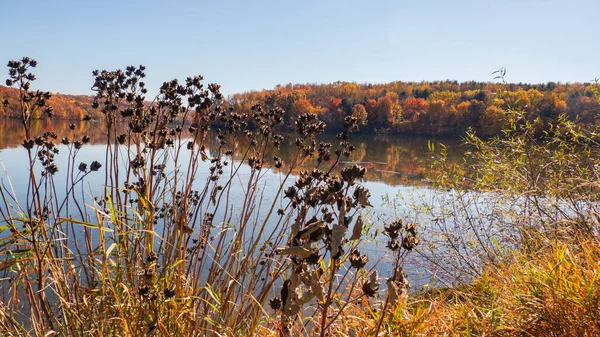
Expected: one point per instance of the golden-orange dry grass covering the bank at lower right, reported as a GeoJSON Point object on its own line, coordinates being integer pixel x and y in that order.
{"type": "Point", "coordinates": [553, 292]}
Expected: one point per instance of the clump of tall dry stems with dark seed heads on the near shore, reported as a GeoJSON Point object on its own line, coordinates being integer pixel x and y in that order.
{"type": "Point", "coordinates": [151, 255]}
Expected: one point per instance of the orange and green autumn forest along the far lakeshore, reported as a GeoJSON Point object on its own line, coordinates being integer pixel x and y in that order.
{"type": "Point", "coordinates": [439, 108]}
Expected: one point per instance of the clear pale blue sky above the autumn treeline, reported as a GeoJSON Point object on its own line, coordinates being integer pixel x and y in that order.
{"type": "Point", "coordinates": [251, 45]}
